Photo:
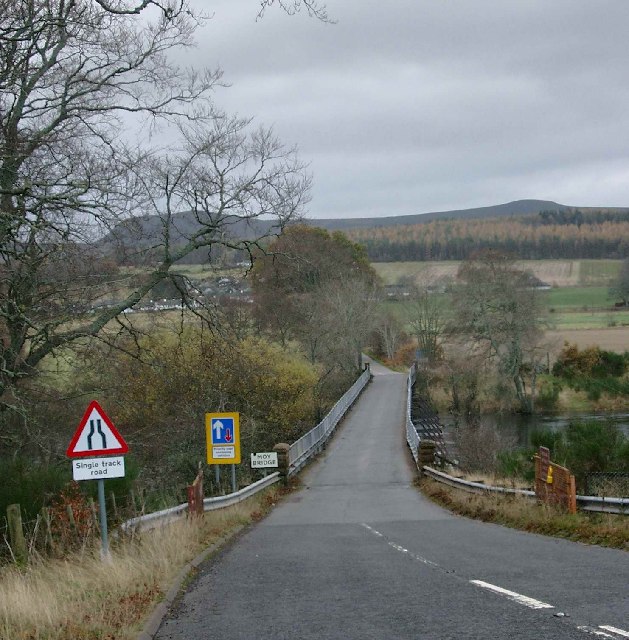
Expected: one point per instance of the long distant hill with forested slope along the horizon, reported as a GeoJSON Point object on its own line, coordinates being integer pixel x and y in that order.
{"type": "Point", "coordinates": [411, 237]}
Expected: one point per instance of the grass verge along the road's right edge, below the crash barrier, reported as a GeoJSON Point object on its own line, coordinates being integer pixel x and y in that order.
{"type": "Point", "coordinates": [522, 513]}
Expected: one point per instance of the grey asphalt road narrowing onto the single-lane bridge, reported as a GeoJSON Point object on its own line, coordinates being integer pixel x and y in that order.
{"type": "Point", "coordinates": [359, 553]}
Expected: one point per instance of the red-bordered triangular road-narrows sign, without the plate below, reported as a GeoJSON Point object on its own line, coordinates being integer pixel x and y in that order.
{"type": "Point", "coordinates": [96, 435]}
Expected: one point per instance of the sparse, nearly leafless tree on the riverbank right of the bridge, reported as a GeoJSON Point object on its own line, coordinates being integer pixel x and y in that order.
{"type": "Point", "coordinates": [500, 312]}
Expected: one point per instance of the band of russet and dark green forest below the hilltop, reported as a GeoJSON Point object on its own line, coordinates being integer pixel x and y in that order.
{"type": "Point", "coordinates": [550, 234]}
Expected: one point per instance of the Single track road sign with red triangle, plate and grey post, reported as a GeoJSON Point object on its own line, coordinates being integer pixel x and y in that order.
{"type": "Point", "coordinates": [97, 436]}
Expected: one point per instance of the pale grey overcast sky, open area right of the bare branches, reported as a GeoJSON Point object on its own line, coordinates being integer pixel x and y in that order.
{"type": "Point", "coordinates": [410, 106]}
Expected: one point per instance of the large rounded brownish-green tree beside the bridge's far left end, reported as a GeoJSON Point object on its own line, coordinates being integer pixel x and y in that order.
{"type": "Point", "coordinates": [319, 290]}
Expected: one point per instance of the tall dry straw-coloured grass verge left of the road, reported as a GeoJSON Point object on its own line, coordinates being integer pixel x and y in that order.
{"type": "Point", "coordinates": [84, 598]}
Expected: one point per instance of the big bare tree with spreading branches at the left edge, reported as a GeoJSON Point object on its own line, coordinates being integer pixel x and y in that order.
{"type": "Point", "coordinates": [73, 75]}
